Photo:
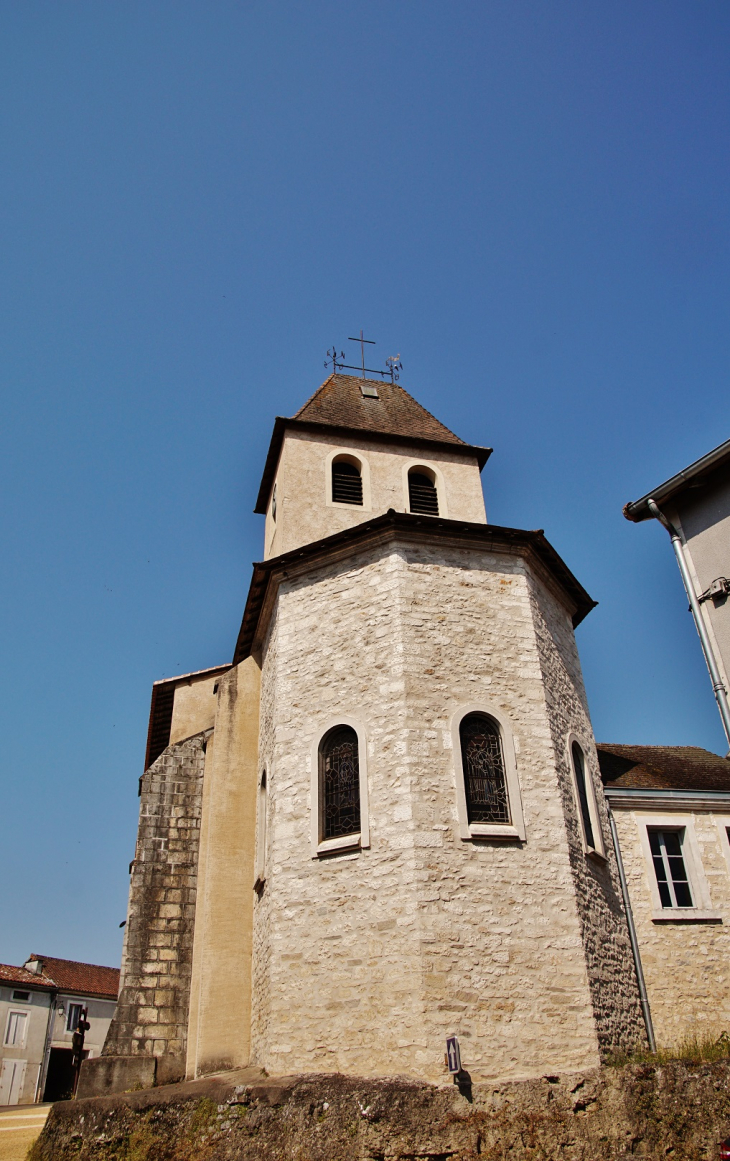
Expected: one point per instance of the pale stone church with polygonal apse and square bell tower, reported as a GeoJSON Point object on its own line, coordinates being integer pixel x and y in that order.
{"type": "Point", "coordinates": [402, 827]}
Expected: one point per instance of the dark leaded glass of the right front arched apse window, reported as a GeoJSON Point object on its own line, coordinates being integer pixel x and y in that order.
{"type": "Point", "coordinates": [483, 762]}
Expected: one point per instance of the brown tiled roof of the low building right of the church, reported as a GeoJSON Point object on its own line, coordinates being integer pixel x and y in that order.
{"type": "Point", "coordinates": [677, 768]}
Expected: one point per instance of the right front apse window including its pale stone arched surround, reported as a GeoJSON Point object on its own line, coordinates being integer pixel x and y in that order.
{"type": "Point", "coordinates": [488, 792]}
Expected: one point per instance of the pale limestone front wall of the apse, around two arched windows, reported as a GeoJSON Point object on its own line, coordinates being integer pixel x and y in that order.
{"type": "Point", "coordinates": [365, 962]}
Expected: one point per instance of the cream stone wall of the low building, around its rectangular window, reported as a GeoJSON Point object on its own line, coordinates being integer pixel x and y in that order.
{"type": "Point", "coordinates": [686, 964]}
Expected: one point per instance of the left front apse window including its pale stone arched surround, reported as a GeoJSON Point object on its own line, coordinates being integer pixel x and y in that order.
{"type": "Point", "coordinates": [339, 789]}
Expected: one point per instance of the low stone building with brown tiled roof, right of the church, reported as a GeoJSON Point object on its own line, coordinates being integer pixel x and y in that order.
{"type": "Point", "coordinates": [671, 807]}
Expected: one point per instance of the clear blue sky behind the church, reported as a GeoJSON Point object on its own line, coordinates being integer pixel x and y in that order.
{"type": "Point", "coordinates": [527, 200]}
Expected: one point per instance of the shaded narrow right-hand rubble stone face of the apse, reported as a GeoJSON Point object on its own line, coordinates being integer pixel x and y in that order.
{"type": "Point", "coordinates": [610, 964]}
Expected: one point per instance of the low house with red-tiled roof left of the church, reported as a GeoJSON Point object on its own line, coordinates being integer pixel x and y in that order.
{"type": "Point", "coordinates": [40, 1008]}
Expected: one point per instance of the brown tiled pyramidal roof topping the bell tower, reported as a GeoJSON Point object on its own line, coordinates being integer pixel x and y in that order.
{"type": "Point", "coordinates": [341, 403]}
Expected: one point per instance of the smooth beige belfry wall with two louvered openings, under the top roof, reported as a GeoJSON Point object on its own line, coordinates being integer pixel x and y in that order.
{"type": "Point", "coordinates": [303, 514]}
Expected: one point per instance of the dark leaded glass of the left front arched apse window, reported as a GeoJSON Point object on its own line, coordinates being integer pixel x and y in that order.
{"type": "Point", "coordinates": [339, 784]}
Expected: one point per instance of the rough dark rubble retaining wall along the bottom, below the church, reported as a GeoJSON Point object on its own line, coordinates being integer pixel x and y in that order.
{"type": "Point", "coordinates": [678, 1112]}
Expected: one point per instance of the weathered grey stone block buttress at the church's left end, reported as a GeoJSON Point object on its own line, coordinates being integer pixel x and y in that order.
{"type": "Point", "coordinates": [153, 1011]}
